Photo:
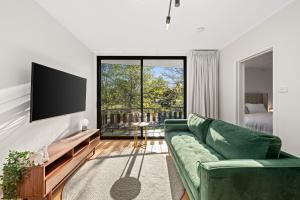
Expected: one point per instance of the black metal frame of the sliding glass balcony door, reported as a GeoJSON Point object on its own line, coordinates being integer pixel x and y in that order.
{"type": "Point", "coordinates": [141, 58]}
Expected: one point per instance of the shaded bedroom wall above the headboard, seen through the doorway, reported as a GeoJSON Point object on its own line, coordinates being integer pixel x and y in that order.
{"type": "Point", "coordinates": [259, 81]}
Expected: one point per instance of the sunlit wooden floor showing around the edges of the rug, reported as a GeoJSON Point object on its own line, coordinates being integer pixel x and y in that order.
{"type": "Point", "coordinates": [106, 147]}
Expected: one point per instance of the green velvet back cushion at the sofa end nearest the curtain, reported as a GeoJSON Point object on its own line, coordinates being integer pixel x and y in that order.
{"type": "Point", "coordinates": [198, 125]}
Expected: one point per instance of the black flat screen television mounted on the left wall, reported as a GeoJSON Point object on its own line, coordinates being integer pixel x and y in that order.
{"type": "Point", "coordinates": [55, 93]}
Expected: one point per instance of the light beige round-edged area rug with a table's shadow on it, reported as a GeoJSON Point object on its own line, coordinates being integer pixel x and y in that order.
{"type": "Point", "coordinates": [132, 174]}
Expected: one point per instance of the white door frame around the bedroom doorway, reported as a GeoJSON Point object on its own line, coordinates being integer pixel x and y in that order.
{"type": "Point", "coordinates": [240, 85]}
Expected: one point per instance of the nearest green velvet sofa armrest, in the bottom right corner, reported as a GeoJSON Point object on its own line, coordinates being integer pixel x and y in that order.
{"type": "Point", "coordinates": [250, 179]}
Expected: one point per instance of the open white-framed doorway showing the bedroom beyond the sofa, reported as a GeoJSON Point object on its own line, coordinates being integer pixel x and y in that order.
{"type": "Point", "coordinates": [255, 92]}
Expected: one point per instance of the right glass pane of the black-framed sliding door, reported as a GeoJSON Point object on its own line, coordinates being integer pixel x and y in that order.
{"type": "Point", "coordinates": [163, 93]}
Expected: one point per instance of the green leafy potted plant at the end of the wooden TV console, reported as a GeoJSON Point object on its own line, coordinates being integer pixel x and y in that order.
{"type": "Point", "coordinates": [14, 169]}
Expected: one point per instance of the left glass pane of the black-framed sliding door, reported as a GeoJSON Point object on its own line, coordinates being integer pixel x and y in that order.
{"type": "Point", "coordinates": [120, 96]}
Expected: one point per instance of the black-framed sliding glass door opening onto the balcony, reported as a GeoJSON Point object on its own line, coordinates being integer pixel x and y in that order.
{"type": "Point", "coordinates": [136, 89]}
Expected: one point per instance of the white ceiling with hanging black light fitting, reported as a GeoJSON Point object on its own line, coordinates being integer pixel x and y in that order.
{"type": "Point", "coordinates": [139, 25]}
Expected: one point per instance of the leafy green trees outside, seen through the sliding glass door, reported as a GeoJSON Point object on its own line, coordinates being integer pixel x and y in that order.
{"type": "Point", "coordinates": [121, 86]}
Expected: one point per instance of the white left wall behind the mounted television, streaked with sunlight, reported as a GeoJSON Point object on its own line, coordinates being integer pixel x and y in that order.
{"type": "Point", "coordinates": [28, 34]}
